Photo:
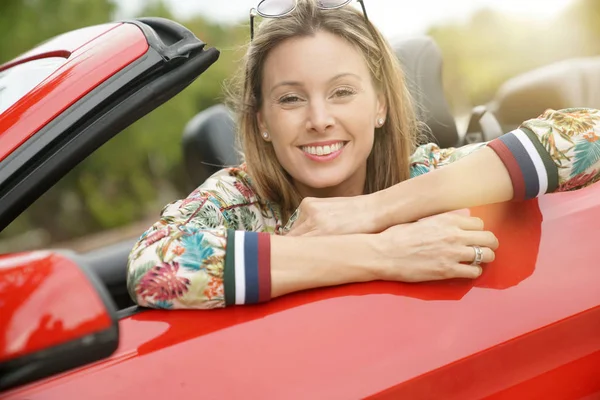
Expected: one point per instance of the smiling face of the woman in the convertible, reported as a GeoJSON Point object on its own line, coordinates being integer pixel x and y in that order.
{"type": "Point", "coordinates": [320, 110]}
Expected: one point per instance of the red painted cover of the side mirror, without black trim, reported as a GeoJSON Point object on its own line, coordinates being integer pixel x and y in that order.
{"type": "Point", "coordinates": [45, 300]}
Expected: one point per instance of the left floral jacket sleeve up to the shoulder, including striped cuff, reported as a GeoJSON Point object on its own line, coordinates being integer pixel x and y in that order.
{"type": "Point", "coordinates": [187, 258]}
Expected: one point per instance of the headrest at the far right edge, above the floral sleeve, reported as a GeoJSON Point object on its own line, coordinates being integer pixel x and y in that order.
{"type": "Point", "coordinates": [565, 84]}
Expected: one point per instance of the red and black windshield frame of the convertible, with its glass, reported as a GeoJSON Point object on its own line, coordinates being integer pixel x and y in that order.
{"type": "Point", "coordinates": [92, 84]}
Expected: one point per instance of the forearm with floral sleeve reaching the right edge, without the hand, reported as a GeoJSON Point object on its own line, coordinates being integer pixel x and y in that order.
{"type": "Point", "coordinates": [557, 151]}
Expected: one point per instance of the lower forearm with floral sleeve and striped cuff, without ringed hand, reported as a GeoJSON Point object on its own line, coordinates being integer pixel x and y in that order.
{"type": "Point", "coordinates": [211, 268]}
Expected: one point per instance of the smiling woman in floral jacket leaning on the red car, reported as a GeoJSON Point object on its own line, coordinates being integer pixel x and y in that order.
{"type": "Point", "coordinates": [328, 132]}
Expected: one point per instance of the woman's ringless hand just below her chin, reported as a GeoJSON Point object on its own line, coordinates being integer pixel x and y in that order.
{"type": "Point", "coordinates": [333, 216]}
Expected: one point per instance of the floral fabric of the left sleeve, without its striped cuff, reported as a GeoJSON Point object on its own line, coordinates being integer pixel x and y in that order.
{"type": "Point", "coordinates": [179, 261]}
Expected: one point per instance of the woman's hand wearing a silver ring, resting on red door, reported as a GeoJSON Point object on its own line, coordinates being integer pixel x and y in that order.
{"type": "Point", "coordinates": [434, 248]}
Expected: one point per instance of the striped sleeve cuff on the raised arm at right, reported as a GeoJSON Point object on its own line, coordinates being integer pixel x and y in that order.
{"type": "Point", "coordinates": [529, 165]}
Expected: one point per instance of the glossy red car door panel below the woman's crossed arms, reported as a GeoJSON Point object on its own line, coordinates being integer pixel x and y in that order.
{"type": "Point", "coordinates": [528, 328]}
